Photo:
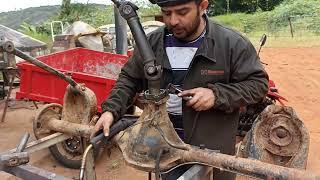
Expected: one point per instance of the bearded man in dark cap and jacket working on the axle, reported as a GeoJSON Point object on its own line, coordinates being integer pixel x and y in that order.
{"type": "Point", "coordinates": [217, 66]}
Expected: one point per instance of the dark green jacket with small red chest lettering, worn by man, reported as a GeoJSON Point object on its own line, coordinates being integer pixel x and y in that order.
{"type": "Point", "coordinates": [225, 62]}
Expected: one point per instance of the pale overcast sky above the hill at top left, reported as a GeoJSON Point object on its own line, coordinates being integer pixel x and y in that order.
{"type": "Point", "coordinates": [11, 5]}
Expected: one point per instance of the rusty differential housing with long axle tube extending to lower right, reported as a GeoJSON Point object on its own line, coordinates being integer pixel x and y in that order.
{"type": "Point", "coordinates": [141, 144]}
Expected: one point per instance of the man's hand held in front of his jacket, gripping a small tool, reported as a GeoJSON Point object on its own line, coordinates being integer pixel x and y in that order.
{"type": "Point", "coordinates": [202, 98]}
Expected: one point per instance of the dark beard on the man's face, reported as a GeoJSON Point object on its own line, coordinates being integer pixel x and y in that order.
{"type": "Point", "coordinates": [182, 32]}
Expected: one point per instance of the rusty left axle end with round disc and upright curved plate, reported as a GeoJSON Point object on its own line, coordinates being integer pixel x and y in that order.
{"type": "Point", "coordinates": [78, 109]}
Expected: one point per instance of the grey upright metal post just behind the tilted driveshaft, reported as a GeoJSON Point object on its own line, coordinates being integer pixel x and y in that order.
{"type": "Point", "coordinates": [121, 32]}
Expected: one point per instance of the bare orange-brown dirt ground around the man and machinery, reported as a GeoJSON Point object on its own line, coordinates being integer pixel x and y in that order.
{"type": "Point", "coordinates": [296, 72]}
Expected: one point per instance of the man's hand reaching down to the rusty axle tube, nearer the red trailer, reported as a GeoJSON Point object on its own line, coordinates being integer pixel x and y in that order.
{"type": "Point", "coordinates": [104, 123]}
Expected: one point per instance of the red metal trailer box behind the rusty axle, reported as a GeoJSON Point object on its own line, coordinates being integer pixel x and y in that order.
{"type": "Point", "coordinates": [98, 70]}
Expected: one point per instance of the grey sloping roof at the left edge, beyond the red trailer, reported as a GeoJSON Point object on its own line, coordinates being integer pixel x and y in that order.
{"type": "Point", "coordinates": [21, 41]}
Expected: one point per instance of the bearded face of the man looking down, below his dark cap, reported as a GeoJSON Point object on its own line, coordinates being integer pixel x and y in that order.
{"type": "Point", "coordinates": [183, 20]}
